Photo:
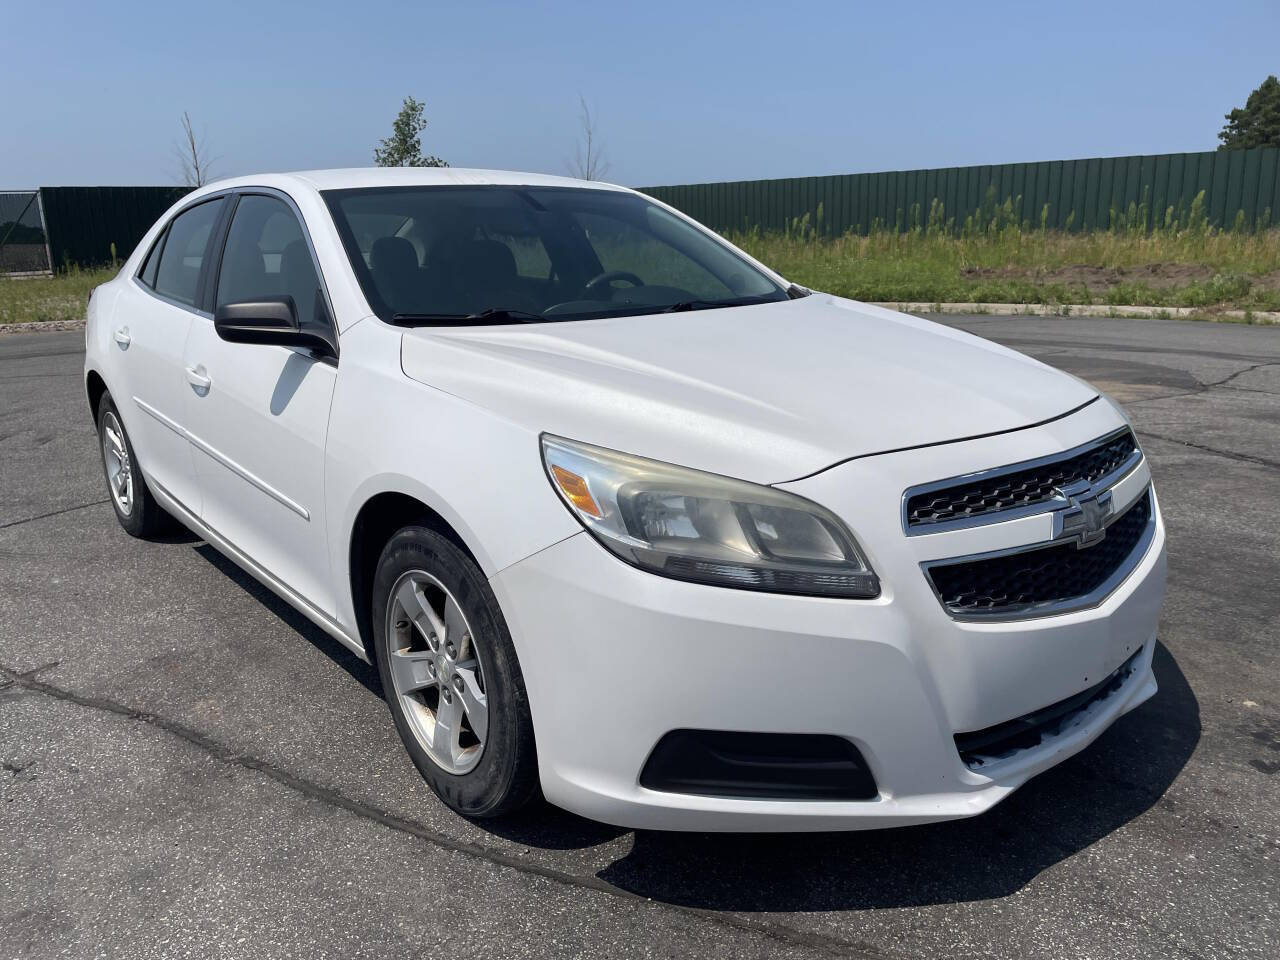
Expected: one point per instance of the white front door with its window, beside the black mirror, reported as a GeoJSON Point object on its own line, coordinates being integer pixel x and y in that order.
{"type": "Point", "coordinates": [258, 414]}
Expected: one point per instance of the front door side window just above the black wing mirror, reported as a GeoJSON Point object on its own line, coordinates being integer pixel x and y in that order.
{"type": "Point", "coordinates": [267, 255]}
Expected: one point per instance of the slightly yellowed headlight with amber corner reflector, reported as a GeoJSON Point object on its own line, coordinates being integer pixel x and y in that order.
{"type": "Point", "coordinates": [711, 529]}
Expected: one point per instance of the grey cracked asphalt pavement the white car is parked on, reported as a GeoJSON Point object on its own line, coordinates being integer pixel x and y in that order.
{"type": "Point", "coordinates": [190, 769]}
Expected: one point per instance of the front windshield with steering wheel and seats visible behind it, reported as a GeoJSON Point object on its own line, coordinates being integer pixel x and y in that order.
{"type": "Point", "coordinates": [446, 255]}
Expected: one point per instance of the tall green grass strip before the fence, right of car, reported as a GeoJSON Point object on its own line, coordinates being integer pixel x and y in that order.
{"type": "Point", "coordinates": [995, 257]}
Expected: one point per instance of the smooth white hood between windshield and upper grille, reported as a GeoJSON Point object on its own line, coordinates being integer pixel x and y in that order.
{"type": "Point", "coordinates": [766, 394]}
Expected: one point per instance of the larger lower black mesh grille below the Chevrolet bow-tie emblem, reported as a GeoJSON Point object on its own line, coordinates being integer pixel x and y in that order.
{"type": "Point", "coordinates": [1043, 577]}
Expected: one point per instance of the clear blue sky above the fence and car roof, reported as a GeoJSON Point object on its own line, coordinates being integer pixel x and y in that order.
{"type": "Point", "coordinates": [685, 92]}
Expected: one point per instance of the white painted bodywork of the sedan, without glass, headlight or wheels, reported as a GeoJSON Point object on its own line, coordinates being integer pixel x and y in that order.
{"type": "Point", "coordinates": [842, 403]}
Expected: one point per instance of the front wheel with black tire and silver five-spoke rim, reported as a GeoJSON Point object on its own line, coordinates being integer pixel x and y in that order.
{"type": "Point", "coordinates": [451, 676]}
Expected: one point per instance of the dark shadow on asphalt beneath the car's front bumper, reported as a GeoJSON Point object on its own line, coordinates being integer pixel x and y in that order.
{"type": "Point", "coordinates": [1054, 817]}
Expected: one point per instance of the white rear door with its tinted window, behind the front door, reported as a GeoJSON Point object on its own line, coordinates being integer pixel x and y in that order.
{"type": "Point", "coordinates": [153, 323]}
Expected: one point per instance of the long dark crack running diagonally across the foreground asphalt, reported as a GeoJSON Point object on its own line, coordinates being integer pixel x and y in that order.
{"type": "Point", "coordinates": [222, 753]}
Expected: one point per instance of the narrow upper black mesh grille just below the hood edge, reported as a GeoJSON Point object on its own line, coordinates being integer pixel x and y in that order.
{"type": "Point", "coordinates": [1020, 487]}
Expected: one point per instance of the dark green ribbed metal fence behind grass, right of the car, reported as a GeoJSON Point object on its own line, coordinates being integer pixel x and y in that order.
{"type": "Point", "coordinates": [1229, 189]}
